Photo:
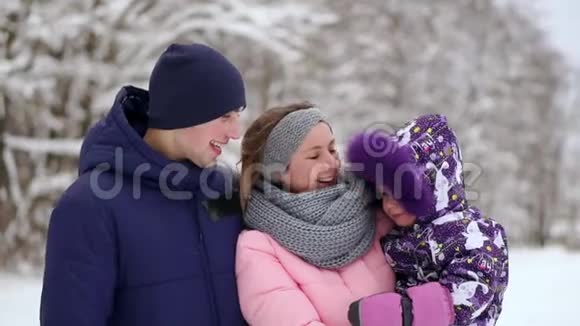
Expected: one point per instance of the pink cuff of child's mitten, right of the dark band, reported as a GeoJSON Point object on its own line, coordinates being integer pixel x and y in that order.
{"type": "Point", "coordinates": [432, 305]}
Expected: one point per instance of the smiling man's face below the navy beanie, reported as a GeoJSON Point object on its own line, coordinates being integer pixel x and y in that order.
{"type": "Point", "coordinates": [202, 144]}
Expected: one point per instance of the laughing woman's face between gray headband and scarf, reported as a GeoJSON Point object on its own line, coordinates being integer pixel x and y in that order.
{"type": "Point", "coordinates": [315, 164]}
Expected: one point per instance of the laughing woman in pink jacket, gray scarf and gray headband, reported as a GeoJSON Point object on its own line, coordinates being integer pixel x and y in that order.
{"type": "Point", "coordinates": [313, 246]}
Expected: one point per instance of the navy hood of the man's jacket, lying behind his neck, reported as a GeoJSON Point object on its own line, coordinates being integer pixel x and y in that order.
{"type": "Point", "coordinates": [115, 144]}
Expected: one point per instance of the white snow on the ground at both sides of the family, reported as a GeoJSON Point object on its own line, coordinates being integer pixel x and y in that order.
{"type": "Point", "coordinates": [542, 291]}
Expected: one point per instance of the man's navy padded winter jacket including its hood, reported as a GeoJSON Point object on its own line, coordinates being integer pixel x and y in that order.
{"type": "Point", "coordinates": [131, 243]}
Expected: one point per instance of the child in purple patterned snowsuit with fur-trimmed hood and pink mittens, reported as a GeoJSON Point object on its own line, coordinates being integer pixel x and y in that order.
{"type": "Point", "coordinates": [442, 248]}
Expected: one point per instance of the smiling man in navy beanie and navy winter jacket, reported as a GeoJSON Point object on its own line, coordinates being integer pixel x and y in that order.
{"type": "Point", "coordinates": [131, 241]}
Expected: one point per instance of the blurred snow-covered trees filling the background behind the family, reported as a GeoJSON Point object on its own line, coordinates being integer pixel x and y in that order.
{"type": "Point", "coordinates": [485, 64]}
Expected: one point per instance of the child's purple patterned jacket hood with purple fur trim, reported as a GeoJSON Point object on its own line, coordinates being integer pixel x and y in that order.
{"type": "Point", "coordinates": [420, 165]}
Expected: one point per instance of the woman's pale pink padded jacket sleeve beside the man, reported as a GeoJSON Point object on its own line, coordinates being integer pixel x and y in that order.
{"type": "Point", "coordinates": [268, 294]}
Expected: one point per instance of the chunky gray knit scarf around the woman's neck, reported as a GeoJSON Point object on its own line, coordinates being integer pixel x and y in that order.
{"type": "Point", "coordinates": [329, 227]}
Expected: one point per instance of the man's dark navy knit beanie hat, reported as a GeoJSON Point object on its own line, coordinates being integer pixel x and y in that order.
{"type": "Point", "coordinates": [193, 84]}
